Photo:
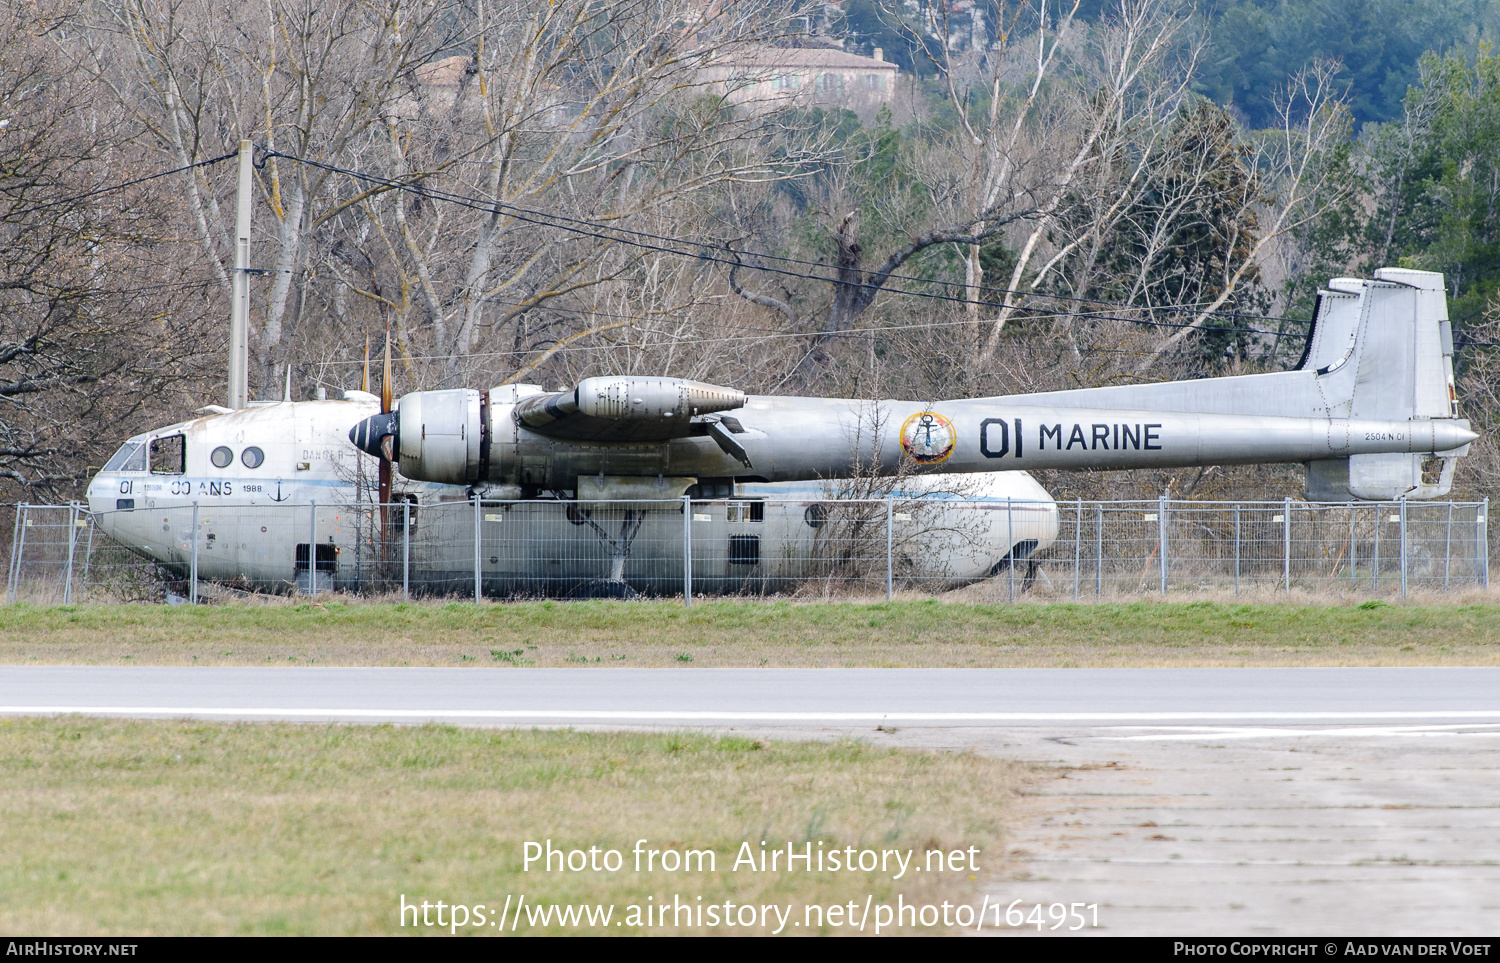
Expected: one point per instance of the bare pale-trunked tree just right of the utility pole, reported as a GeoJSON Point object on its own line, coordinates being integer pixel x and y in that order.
{"type": "Point", "coordinates": [311, 80]}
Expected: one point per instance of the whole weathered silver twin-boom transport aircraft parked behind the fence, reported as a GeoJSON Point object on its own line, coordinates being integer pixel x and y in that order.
{"type": "Point", "coordinates": [1370, 410]}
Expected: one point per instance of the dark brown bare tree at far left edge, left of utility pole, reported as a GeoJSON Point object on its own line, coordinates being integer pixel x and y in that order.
{"type": "Point", "coordinates": [94, 326]}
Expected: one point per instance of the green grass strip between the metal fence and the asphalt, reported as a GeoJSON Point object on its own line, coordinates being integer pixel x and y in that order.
{"type": "Point", "coordinates": [755, 634]}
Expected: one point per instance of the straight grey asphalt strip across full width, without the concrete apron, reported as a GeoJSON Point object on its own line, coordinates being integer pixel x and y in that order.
{"type": "Point", "coordinates": [763, 697]}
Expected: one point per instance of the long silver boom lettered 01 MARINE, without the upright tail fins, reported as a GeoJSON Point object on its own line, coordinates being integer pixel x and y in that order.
{"type": "Point", "coordinates": [796, 440]}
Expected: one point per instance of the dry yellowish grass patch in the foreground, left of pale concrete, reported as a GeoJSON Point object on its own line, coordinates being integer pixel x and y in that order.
{"type": "Point", "coordinates": [182, 827]}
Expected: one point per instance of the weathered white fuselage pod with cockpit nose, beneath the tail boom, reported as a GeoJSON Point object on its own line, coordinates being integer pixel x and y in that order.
{"type": "Point", "coordinates": [251, 521]}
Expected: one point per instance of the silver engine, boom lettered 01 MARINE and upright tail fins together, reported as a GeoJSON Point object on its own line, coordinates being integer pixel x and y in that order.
{"type": "Point", "coordinates": [1369, 407]}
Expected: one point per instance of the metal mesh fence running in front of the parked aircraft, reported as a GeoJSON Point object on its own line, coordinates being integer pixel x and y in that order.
{"type": "Point", "coordinates": [755, 547]}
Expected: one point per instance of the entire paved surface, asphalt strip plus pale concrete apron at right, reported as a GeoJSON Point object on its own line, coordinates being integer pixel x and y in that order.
{"type": "Point", "coordinates": [1181, 802]}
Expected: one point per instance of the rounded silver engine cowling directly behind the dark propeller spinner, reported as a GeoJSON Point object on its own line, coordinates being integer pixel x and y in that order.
{"type": "Point", "coordinates": [442, 436]}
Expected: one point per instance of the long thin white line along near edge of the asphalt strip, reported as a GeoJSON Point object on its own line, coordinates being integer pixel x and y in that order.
{"type": "Point", "coordinates": [739, 716]}
